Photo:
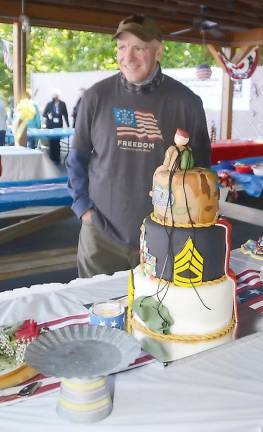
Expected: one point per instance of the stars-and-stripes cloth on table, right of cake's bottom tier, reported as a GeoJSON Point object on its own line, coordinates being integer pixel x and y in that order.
{"type": "Point", "coordinates": [250, 289]}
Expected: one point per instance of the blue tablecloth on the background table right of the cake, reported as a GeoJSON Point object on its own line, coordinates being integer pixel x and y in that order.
{"type": "Point", "coordinates": [250, 183]}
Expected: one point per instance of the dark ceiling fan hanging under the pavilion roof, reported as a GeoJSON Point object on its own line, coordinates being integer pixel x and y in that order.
{"type": "Point", "coordinates": [204, 25]}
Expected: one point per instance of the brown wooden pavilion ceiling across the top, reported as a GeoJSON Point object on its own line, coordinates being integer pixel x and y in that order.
{"type": "Point", "coordinates": [240, 21]}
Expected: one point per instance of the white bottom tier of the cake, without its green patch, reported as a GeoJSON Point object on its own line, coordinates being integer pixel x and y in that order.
{"type": "Point", "coordinates": [206, 311]}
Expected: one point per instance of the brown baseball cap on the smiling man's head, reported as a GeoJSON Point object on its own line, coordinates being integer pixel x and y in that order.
{"type": "Point", "coordinates": [141, 26]}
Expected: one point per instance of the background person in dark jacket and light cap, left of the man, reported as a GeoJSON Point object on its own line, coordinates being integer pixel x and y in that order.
{"type": "Point", "coordinates": [54, 113]}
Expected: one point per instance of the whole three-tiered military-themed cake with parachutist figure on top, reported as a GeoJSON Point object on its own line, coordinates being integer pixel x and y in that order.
{"type": "Point", "coordinates": [183, 291]}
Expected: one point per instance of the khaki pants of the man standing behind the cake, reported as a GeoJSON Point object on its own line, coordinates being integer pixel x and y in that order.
{"type": "Point", "coordinates": [98, 254]}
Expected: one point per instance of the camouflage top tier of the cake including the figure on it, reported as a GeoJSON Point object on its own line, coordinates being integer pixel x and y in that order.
{"type": "Point", "coordinates": [184, 194]}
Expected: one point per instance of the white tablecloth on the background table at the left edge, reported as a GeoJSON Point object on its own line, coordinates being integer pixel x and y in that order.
{"type": "Point", "coordinates": [21, 163]}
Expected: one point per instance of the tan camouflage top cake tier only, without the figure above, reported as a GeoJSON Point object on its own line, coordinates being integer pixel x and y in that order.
{"type": "Point", "coordinates": [193, 197]}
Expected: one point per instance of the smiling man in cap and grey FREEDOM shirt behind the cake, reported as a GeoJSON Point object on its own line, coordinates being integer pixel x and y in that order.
{"type": "Point", "coordinates": [125, 123]}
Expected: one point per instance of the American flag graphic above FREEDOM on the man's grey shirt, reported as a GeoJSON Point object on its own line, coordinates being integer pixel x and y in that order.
{"type": "Point", "coordinates": [138, 124]}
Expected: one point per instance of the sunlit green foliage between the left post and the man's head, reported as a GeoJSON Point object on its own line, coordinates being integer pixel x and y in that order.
{"type": "Point", "coordinates": [69, 51]}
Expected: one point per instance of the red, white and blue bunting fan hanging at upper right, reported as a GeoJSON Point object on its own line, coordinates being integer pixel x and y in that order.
{"type": "Point", "coordinates": [245, 68]}
